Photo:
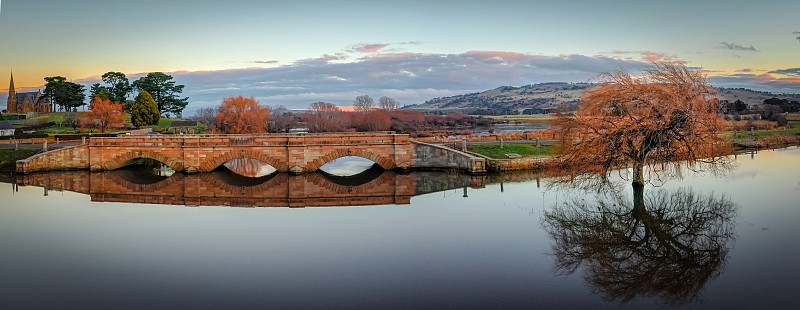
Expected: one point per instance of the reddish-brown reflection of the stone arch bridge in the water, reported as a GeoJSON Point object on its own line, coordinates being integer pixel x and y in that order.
{"type": "Point", "coordinates": [225, 188]}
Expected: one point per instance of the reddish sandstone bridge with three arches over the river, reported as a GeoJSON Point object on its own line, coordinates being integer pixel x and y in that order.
{"type": "Point", "coordinates": [293, 153]}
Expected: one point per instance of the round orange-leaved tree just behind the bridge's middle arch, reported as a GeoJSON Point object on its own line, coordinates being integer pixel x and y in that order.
{"type": "Point", "coordinates": [239, 115]}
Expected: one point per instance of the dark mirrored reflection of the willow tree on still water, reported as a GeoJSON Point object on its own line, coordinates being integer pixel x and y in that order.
{"type": "Point", "coordinates": [666, 244]}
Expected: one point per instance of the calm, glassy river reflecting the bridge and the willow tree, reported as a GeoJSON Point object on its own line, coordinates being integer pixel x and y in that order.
{"type": "Point", "coordinates": [379, 240]}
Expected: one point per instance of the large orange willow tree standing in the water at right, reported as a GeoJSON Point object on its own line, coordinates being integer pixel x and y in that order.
{"type": "Point", "coordinates": [664, 114]}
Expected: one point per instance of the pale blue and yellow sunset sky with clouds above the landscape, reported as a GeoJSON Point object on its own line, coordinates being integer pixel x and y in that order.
{"type": "Point", "coordinates": [293, 53]}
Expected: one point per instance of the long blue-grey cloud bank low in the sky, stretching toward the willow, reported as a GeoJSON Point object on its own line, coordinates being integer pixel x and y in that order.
{"type": "Point", "coordinates": [411, 78]}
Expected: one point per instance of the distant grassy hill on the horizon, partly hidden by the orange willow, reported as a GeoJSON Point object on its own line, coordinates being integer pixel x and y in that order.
{"type": "Point", "coordinates": [539, 98]}
